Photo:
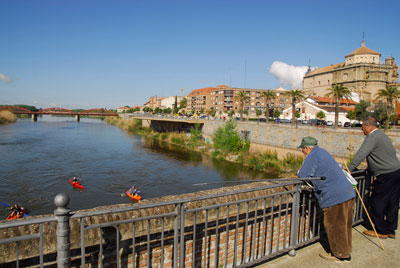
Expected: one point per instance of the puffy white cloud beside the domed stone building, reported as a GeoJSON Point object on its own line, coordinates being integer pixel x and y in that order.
{"type": "Point", "coordinates": [288, 75]}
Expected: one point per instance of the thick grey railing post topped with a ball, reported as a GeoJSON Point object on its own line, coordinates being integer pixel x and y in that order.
{"type": "Point", "coordinates": [63, 230]}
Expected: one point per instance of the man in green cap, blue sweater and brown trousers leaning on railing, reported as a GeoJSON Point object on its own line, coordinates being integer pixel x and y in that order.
{"type": "Point", "coordinates": [335, 196]}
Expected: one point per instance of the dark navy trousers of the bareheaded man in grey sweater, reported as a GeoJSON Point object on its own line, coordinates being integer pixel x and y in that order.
{"type": "Point", "coordinates": [384, 202]}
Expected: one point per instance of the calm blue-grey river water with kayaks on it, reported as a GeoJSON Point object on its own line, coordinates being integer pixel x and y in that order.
{"type": "Point", "coordinates": [36, 158]}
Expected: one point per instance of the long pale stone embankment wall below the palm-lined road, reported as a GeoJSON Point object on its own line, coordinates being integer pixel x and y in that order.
{"type": "Point", "coordinates": [285, 138]}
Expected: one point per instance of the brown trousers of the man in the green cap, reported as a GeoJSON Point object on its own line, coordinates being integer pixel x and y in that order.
{"type": "Point", "coordinates": [338, 221]}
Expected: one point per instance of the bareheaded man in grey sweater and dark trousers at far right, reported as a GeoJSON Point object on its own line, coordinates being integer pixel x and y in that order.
{"type": "Point", "coordinates": [384, 164]}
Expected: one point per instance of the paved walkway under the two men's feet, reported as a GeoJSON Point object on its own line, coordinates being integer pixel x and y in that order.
{"type": "Point", "coordinates": [367, 253]}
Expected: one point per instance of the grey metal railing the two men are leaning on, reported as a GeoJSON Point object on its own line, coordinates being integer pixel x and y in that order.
{"type": "Point", "coordinates": [229, 229]}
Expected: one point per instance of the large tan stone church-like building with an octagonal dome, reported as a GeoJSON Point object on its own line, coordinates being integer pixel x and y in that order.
{"type": "Point", "coordinates": [361, 72]}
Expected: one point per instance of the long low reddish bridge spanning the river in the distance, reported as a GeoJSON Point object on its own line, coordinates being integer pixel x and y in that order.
{"type": "Point", "coordinates": [59, 111]}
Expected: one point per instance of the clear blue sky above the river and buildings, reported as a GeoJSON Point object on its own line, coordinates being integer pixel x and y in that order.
{"type": "Point", "coordinates": [92, 54]}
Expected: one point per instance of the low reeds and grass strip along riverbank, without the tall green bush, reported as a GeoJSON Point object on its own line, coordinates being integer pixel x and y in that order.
{"type": "Point", "coordinates": [265, 162]}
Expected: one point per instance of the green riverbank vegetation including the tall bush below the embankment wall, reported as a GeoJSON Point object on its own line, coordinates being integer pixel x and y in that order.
{"type": "Point", "coordinates": [226, 145]}
